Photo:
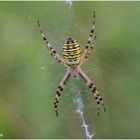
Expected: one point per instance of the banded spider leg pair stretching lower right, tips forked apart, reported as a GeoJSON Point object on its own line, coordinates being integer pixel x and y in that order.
{"type": "Point", "coordinates": [91, 85]}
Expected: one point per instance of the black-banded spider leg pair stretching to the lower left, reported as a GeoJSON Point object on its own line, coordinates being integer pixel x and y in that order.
{"type": "Point", "coordinates": [59, 90]}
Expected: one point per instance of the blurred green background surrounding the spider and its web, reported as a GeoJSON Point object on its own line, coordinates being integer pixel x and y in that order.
{"type": "Point", "coordinates": [29, 76]}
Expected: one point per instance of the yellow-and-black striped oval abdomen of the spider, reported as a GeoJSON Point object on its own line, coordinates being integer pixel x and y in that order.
{"type": "Point", "coordinates": [71, 52]}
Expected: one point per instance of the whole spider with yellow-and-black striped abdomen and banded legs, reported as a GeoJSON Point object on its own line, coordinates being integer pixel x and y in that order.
{"type": "Point", "coordinates": [73, 59]}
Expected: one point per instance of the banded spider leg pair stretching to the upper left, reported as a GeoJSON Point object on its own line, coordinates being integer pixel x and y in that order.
{"type": "Point", "coordinates": [56, 56]}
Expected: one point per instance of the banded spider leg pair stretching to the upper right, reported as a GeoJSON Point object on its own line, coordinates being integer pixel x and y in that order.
{"type": "Point", "coordinates": [90, 43]}
